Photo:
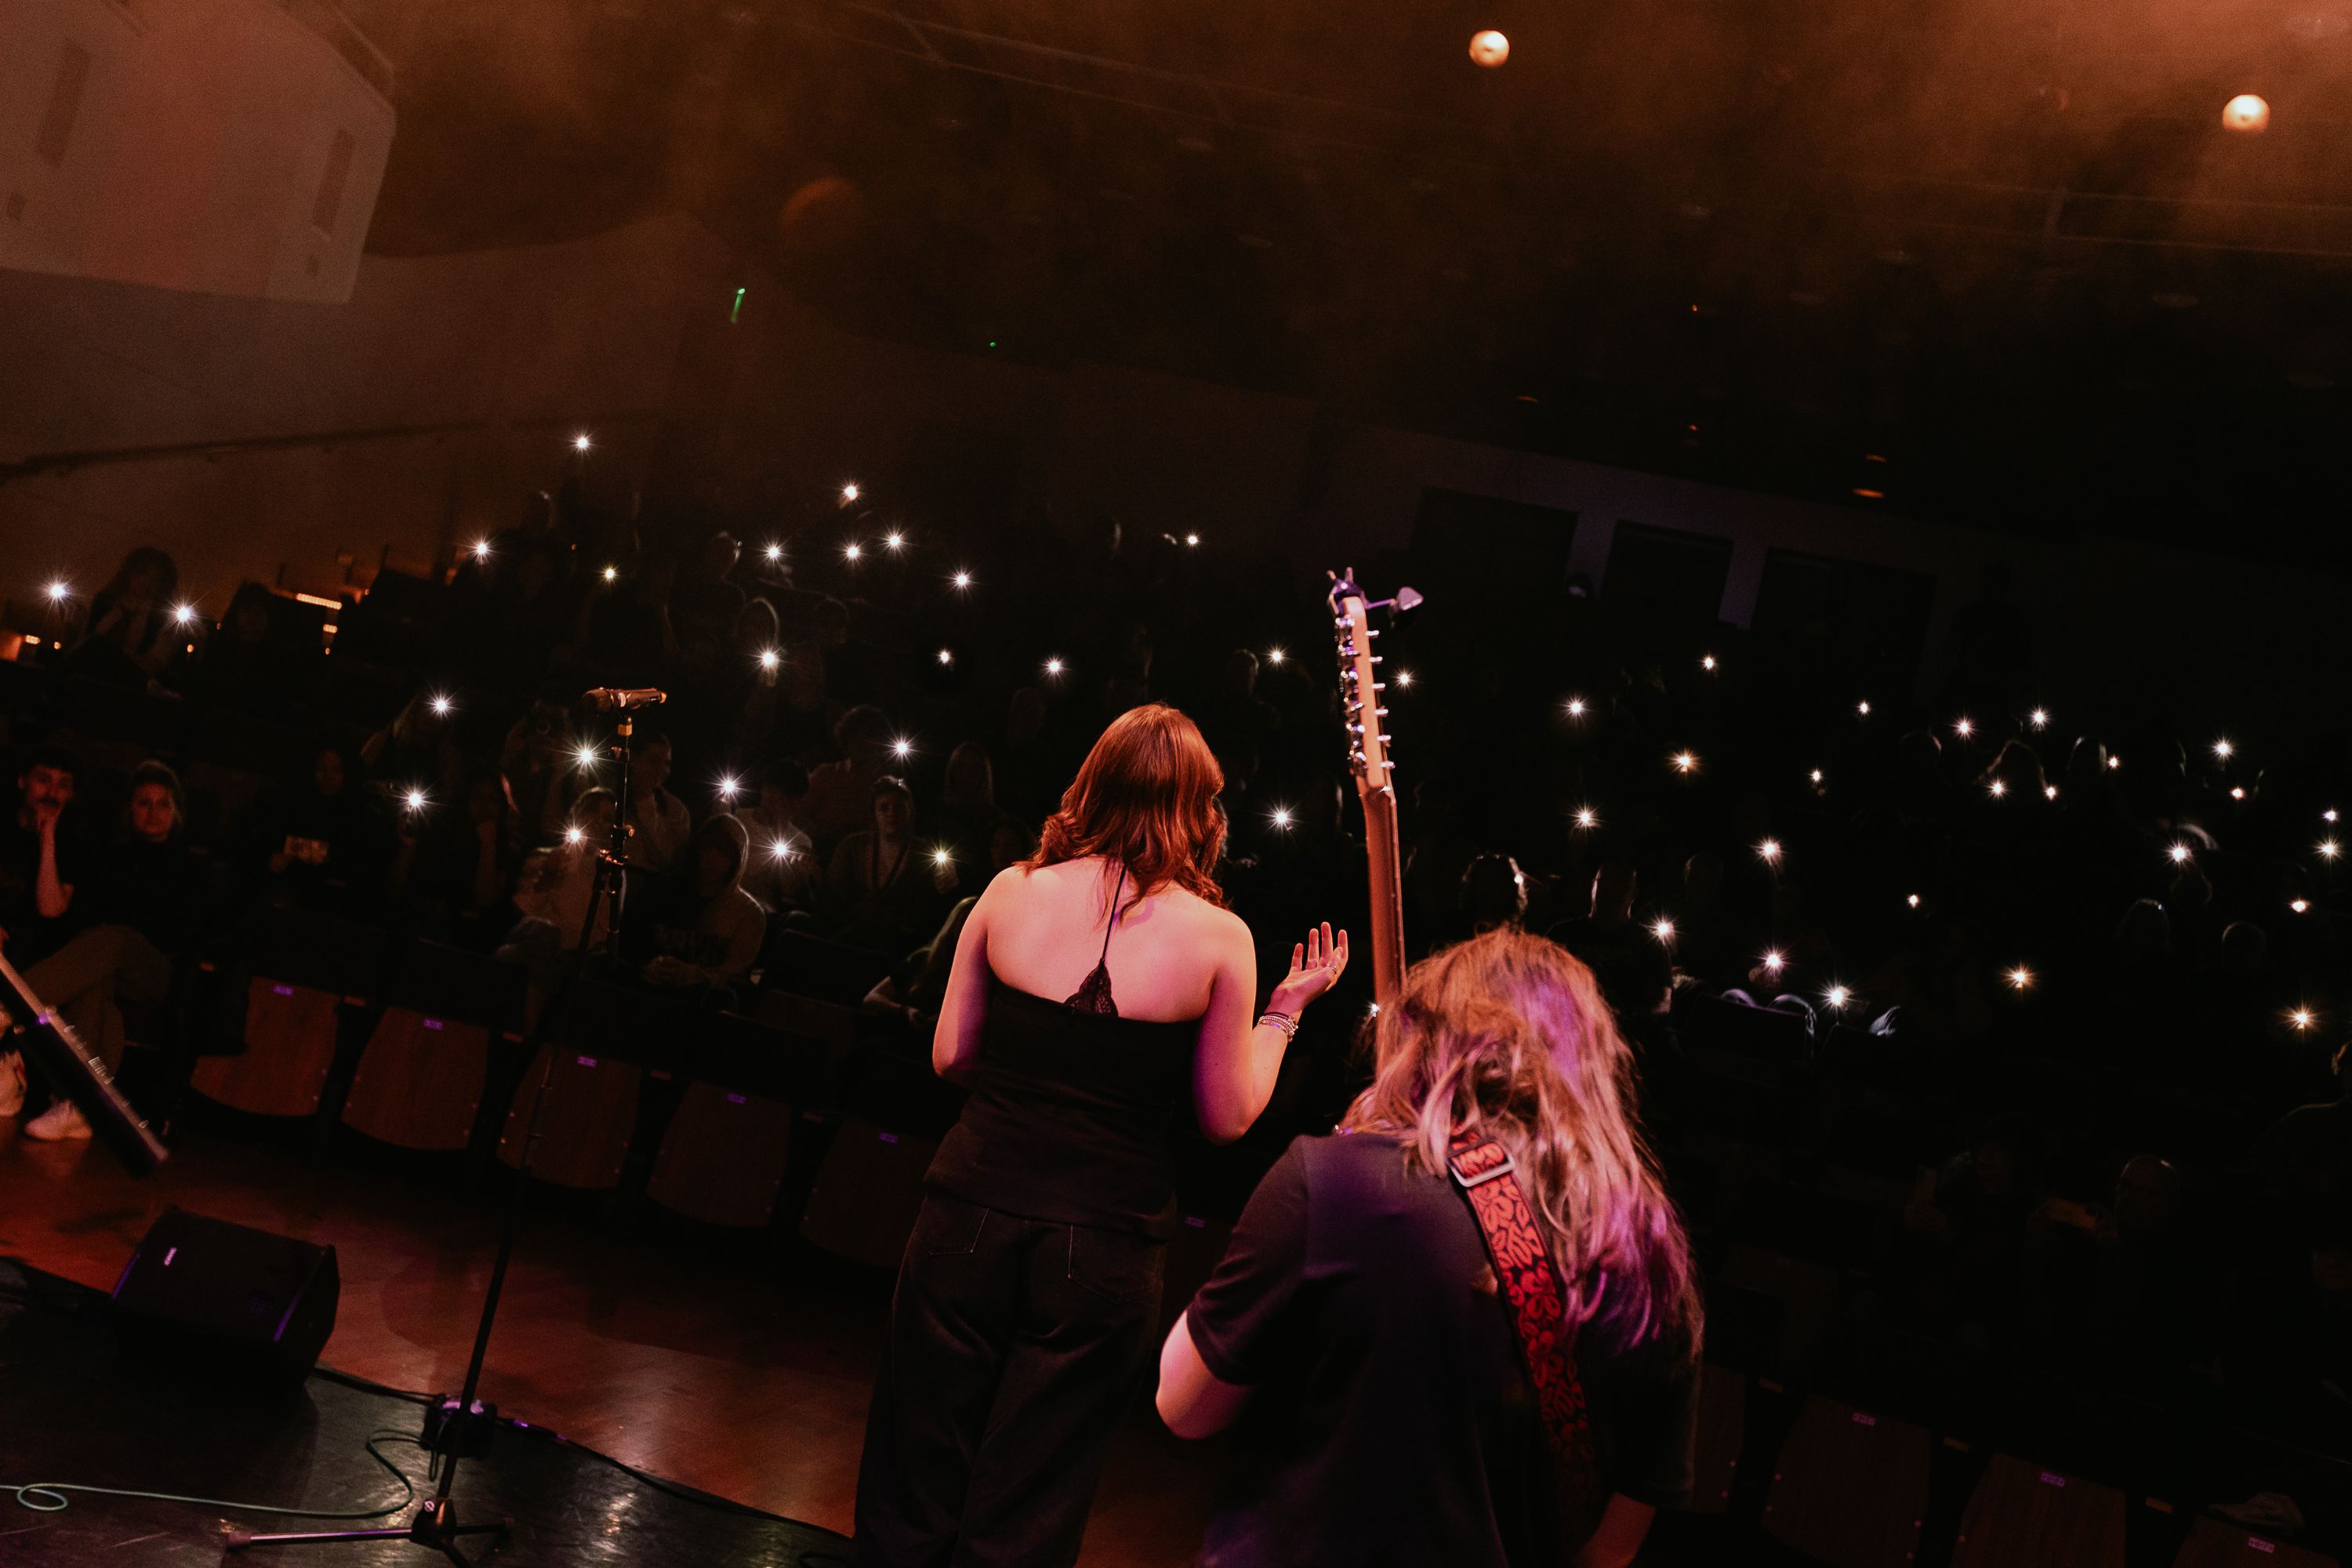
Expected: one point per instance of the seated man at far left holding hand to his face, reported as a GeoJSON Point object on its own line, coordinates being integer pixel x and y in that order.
{"type": "Point", "coordinates": [88, 974]}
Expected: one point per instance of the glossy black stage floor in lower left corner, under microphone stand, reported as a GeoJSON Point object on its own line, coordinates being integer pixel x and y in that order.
{"type": "Point", "coordinates": [72, 1409]}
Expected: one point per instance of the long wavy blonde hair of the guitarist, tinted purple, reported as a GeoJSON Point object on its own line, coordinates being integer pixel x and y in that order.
{"type": "Point", "coordinates": [1509, 1038]}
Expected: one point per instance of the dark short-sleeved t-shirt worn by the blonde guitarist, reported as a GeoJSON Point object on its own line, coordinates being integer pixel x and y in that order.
{"type": "Point", "coordinates": [1391, 1419]}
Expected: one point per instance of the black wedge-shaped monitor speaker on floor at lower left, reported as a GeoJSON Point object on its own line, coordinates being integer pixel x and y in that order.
{"type": "Point", "coordinates": [227, 1299]}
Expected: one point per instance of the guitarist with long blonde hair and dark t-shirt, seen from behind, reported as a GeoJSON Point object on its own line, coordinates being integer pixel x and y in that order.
{"type": "Point", "coordinates": [1358, 1299]}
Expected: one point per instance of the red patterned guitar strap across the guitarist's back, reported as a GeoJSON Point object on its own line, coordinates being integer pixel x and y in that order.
{"type": "Point", "coordinates": [1539, 1313]}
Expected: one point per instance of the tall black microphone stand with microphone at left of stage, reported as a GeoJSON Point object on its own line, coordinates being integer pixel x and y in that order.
{"type": "Point", "coordinates": [460, 1428]}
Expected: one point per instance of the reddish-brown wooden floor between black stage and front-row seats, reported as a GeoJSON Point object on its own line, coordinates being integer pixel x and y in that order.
{"type": "Point", "coordinates": [693, 1358]}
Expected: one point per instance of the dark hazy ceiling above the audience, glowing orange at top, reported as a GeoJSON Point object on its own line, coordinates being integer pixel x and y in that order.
{"type": "Point", "coordinates": [1991, 260]}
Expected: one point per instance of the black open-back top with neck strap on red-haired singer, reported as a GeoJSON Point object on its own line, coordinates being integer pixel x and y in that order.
{"type": "Point", "coordinates": [1074, 1108]}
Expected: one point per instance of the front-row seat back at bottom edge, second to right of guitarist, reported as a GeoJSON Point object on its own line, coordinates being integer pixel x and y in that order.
{"type": "Point", "coordinates": [1850, 1487]}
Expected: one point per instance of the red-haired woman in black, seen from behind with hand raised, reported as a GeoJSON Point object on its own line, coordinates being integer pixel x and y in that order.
{"type": "Point", "coordinates": [1100, 993]}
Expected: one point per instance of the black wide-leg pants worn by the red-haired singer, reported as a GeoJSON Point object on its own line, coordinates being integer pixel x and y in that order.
{"type": "Point", "coordinates": [1015, 1348]}
